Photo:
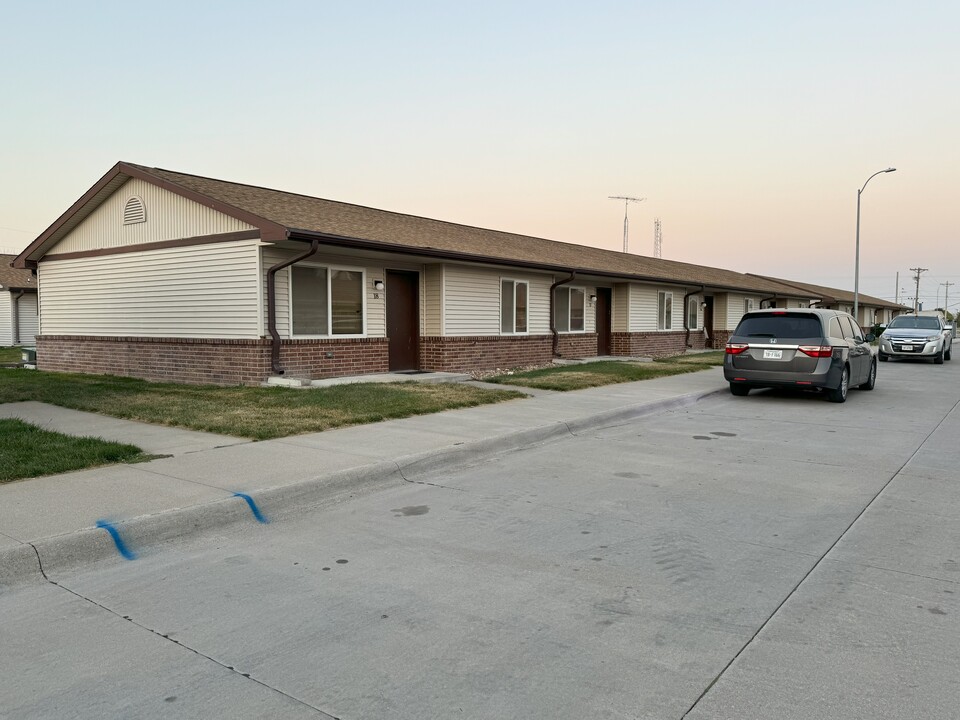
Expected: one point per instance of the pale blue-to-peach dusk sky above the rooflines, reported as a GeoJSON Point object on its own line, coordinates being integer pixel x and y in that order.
{"type": "Point", "coordinates": [747, 126]}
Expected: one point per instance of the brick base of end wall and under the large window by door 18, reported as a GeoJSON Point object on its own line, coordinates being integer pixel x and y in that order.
{"type": "Point", "coordinates": [217, 362]}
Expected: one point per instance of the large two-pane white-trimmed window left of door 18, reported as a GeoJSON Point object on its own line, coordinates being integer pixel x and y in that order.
{"type": "Point", "coordinates": [326, 301]}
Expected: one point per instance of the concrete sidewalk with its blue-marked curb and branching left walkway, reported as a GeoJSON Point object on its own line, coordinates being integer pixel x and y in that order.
{"type": "Point", "coordinates": [53, 520]}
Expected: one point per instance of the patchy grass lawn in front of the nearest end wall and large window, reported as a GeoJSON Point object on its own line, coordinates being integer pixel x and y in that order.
{"type": "Point", "coordinates": [250, 412]}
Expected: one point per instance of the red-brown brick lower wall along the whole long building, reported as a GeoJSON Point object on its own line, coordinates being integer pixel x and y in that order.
{"type": "Point", "coordinates": [247, 362]}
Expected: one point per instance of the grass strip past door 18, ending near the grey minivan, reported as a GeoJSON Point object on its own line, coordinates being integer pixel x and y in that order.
{"type": "Point", "coordinates": [579, 377]}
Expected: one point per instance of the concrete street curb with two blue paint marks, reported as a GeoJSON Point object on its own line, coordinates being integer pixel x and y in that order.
{"type": "Point", "coordinates": [35, 560]}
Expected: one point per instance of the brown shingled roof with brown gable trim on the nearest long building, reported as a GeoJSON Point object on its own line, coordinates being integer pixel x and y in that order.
{"type": "Point", "coordinates": [283, 215]}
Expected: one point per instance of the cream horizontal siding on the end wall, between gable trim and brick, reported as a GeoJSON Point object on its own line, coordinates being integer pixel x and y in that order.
{"type": "Point", "coordinates": [200, 291]}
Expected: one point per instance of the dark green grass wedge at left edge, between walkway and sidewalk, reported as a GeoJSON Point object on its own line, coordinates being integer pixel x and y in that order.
{"type": "Point", "coordinates": [27, 451]}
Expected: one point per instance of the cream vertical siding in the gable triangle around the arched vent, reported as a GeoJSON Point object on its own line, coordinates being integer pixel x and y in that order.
{"type": "Point", "coordinates": [169, 217]}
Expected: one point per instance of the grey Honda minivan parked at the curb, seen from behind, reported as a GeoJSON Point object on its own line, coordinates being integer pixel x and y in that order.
{"type": "Point", "coordinates": [810, 349]}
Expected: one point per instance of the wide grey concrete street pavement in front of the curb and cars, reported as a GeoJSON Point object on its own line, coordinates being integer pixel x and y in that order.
{"type": "Point", "coordinates": [775, 556]}
